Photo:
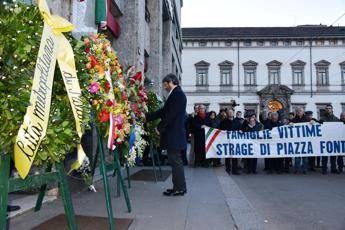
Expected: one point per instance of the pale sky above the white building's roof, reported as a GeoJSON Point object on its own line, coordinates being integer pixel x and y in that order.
{"type": "Point", "coordinates": [241, 13]}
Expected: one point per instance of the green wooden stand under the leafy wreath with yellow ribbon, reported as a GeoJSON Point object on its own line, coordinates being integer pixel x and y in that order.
{"type": "Point", "coordinates": [8, 185]}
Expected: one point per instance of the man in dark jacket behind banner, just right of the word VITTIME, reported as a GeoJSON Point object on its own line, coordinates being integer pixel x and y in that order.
{"type": "Point", "coordinates": [329, 117]}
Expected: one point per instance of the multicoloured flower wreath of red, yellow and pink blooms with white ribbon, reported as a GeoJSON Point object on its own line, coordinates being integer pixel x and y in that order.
{"type": "Point", "coordinates": [106, 90]}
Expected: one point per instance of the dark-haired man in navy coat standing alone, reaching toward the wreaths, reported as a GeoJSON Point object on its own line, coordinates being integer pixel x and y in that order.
{"type": "Point", "coordinates": [172, 132]}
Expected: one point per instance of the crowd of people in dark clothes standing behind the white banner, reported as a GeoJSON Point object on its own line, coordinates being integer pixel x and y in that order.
{"type": "Point", "coordinates": [228, 120]}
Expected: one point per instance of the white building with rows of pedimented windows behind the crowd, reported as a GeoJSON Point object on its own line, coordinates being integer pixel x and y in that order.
{"type": "Point", "coordinates": [267, 68]}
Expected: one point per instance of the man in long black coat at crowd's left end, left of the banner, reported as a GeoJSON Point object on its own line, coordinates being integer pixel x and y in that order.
{"type": "Point", "coordinates": [199, 135]}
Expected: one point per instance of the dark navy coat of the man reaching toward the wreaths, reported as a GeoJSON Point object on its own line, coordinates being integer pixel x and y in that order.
{"type": "Point", "coordinates": [172, 126]}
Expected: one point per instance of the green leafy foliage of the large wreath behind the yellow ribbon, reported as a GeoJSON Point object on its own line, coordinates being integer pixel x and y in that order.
{"type": "Point", "coordinates": [21, 27]}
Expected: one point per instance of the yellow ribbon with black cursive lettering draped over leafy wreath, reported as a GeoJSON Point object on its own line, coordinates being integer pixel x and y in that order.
{"type": "Point", "coordinates": [53, 47]}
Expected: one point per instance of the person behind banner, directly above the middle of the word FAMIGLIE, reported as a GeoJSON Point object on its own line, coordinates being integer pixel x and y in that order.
{"type": "Point", "coordinates": [252, 126]}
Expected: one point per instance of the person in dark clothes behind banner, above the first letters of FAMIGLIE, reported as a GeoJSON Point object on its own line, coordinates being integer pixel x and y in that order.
{"type": "Point", "coordinates": [231, 165]}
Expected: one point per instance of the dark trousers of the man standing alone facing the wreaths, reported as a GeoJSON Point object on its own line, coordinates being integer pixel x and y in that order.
{"type": "Point", "coordinates": [176, 163]}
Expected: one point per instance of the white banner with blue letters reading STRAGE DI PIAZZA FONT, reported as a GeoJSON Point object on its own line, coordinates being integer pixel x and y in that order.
{"type": "Point", "coordinates": [297, 140]}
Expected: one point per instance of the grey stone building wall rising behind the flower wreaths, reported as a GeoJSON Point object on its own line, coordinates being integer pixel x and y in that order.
{"type": "Point", "coordinates": [149, 34]}
